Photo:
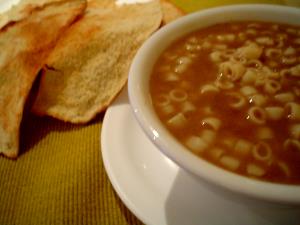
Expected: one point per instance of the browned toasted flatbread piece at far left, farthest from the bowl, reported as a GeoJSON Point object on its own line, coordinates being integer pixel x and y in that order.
{"type": "Point", "coordinates": [25, 45]}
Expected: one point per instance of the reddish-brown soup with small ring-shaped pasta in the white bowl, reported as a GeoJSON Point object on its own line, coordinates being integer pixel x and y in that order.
{"type": "Point", "coordinates": [230, 93]}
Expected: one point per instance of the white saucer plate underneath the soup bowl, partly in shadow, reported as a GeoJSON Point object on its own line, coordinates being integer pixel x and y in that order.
{"type": "Point", "coordinates": [157, 191]}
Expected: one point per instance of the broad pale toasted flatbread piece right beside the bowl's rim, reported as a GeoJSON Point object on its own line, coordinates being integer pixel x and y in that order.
{"type": "Point", "coordinates": [90, 64]}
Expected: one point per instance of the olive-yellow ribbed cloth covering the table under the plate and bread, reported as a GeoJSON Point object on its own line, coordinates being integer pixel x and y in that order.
{"type": "Point", "coordinates": [59, 177]}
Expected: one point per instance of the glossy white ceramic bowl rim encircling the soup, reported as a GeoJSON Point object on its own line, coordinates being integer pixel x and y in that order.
{"type": "Point", "coordinates": [140, 101]}
